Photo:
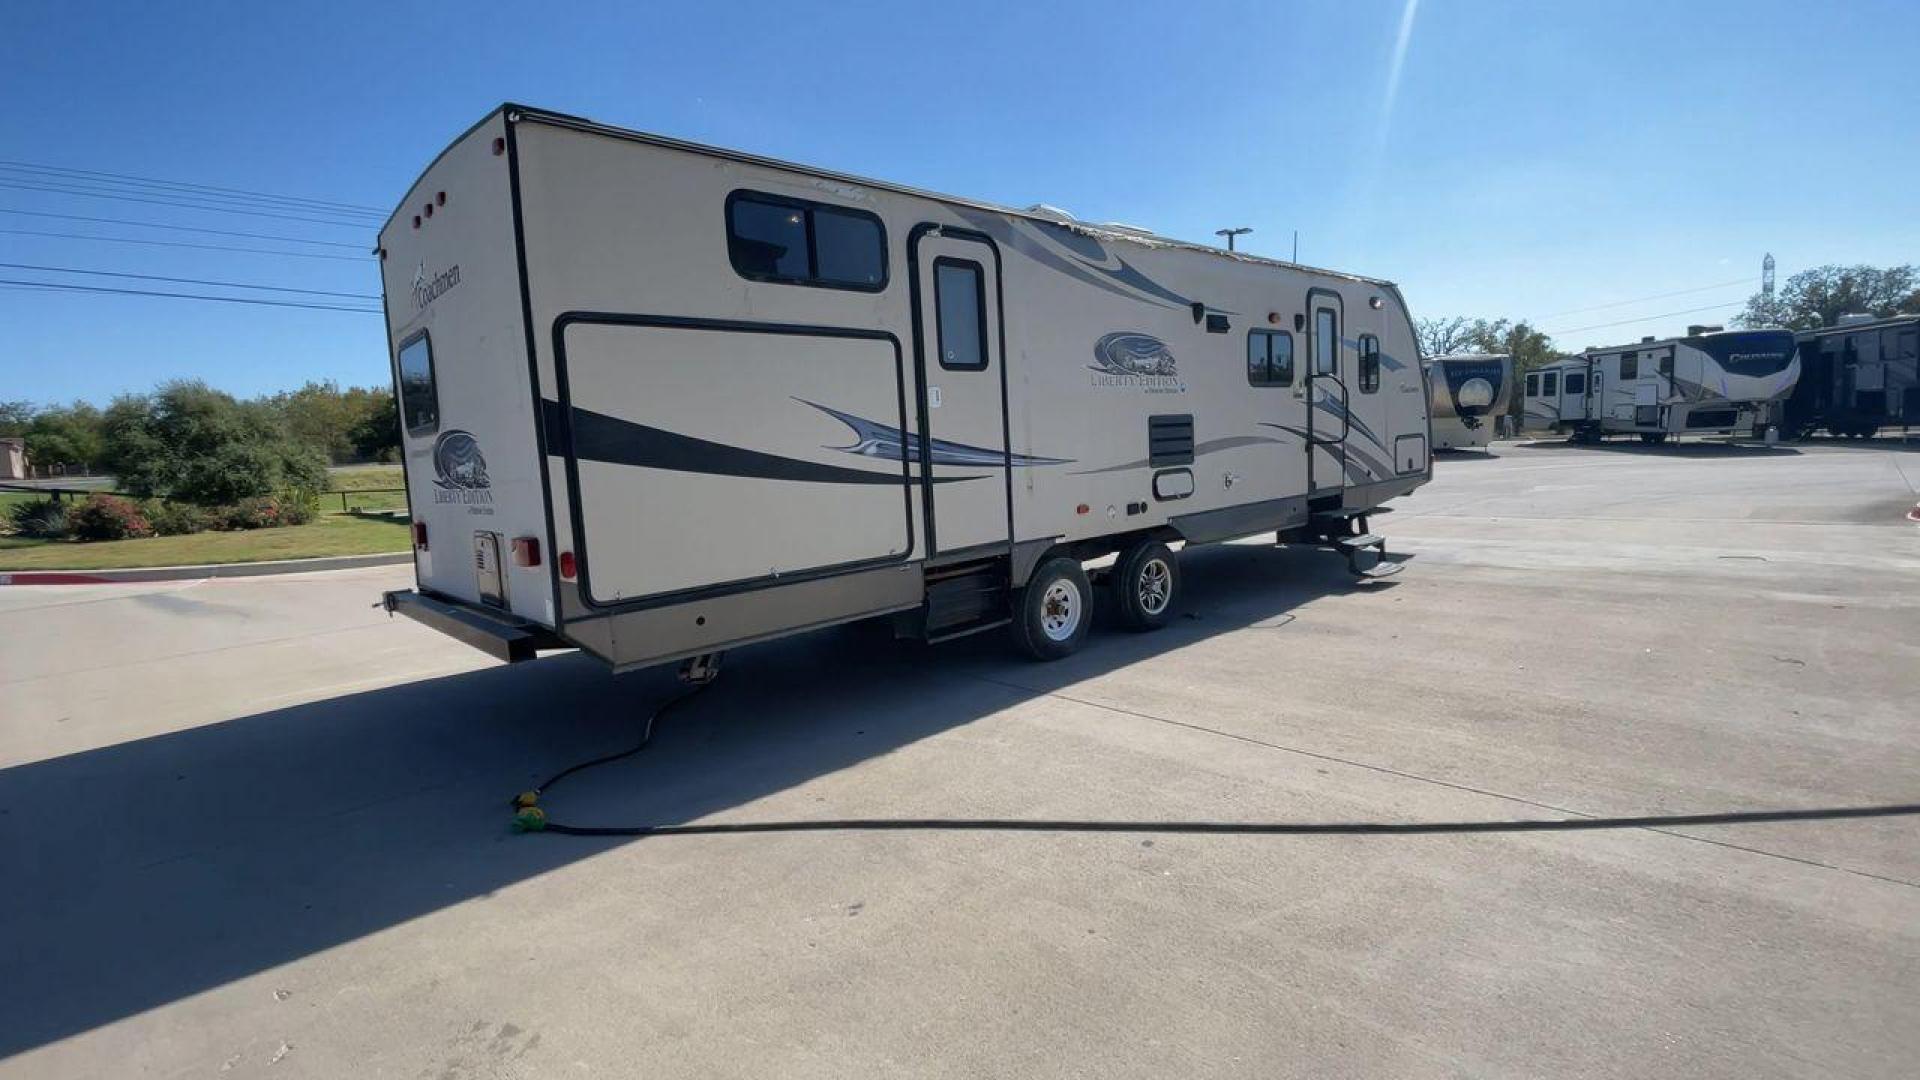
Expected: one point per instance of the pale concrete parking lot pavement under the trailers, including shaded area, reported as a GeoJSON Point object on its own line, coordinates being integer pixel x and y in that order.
{"type": "Point", "coordinates": [258, 829]}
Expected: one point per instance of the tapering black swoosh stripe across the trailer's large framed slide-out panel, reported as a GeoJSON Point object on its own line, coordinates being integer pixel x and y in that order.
{"type": "Point", "coordinates": [606, 439]}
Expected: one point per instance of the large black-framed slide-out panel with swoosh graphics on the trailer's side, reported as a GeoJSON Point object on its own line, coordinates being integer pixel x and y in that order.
{"type": "Point", "coordinates": [717, 456]}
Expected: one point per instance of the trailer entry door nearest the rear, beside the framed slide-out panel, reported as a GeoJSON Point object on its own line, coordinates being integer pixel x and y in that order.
{"type": "Point", "coordinates": [965, 454]}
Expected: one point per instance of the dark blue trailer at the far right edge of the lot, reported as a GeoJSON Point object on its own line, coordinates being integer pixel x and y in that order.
{"type": "Point", "coordinates": [1858, 378]}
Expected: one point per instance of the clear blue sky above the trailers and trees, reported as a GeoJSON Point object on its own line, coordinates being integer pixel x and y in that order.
{"type": "Point", "coordinates": [1537, 159]}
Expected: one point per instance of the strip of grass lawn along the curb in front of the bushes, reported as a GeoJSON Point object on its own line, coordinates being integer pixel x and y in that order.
{"type": "Point", "coordinates": [331, 535]}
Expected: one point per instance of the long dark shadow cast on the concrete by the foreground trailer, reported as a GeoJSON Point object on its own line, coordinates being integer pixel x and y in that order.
{"type": "Point", "coordinates": [162, 868]}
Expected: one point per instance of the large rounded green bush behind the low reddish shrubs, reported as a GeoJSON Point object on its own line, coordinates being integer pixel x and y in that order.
{"type": "Point", "coordinates": [197, 445]}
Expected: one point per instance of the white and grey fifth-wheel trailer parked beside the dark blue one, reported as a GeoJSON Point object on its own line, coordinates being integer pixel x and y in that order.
{"type": "Point", "coordinates": [1706, 383]}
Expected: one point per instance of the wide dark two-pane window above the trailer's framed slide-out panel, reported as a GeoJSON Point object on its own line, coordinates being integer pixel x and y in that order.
{"type": "Point", "coordinates": [805, 243]}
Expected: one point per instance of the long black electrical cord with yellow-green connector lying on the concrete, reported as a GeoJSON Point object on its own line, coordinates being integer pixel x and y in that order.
{"type": "Point", "coordinates": [531, 818]}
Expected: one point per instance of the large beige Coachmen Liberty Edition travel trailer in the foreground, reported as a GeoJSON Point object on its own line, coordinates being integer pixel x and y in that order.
{"type": "Point", "coordinates": [663, 399]}
